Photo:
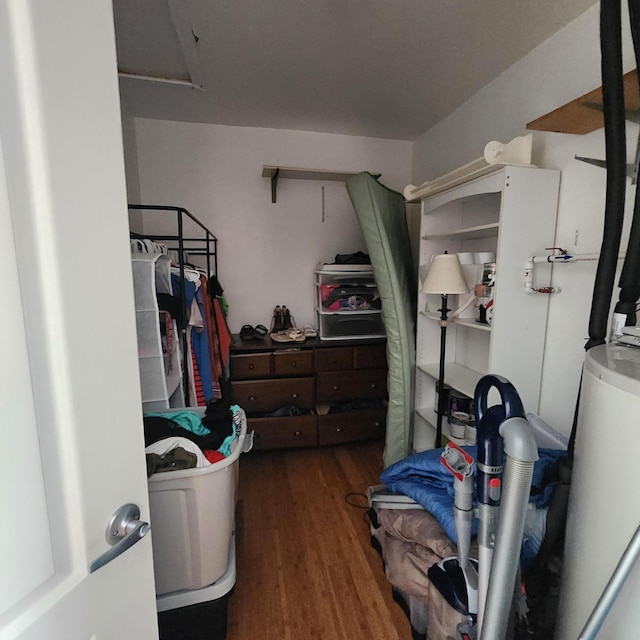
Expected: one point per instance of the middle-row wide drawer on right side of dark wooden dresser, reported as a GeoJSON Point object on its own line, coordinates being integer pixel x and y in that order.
{"type": "Point", "coordinates": [351, 385]}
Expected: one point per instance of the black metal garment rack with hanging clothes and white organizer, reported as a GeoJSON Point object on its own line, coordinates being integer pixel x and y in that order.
{"type": "Point", "coordinates": [183, 339]}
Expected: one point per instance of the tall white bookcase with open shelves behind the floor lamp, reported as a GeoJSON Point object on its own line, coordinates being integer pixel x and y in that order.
{"type": "Point", "coordinates": [511, 212]}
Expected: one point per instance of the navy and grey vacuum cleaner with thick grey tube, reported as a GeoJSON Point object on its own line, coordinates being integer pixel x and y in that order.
{"type": "Point", "coordinates": [502, 497]}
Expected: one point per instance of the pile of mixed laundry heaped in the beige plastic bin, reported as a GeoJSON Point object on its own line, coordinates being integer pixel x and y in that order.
{"type": "Point", "coordinates": [184, 439]}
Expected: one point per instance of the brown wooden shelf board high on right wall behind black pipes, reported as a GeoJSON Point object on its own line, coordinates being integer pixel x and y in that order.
{"type": "Point", "coordinates": [576, 117]}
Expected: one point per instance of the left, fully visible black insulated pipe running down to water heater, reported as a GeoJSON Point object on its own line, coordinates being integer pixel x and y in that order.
{"type": "Point", "coordinates": [616, 154]}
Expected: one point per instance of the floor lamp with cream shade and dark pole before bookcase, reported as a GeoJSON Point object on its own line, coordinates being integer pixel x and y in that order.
{"type": "Point", "coordinates": [445, 277]}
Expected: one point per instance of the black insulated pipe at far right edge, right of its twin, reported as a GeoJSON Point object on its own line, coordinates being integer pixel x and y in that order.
{"type": "Point", "coordinates": [630, 276]}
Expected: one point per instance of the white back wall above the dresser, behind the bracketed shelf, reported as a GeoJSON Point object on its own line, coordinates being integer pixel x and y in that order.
{"type": "Point", "coordinates": [266, 252]}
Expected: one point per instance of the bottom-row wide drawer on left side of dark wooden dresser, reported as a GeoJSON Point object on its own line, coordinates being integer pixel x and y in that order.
{"type": "Point", "coordinates": [284, 433]}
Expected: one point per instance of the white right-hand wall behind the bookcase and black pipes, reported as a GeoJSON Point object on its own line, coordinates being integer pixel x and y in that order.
{"type": "Point", "coordinates": [563, 68]}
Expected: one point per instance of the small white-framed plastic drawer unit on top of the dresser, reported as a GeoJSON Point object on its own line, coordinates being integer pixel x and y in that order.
{"type": "Point", "coordinates": [347, 323]}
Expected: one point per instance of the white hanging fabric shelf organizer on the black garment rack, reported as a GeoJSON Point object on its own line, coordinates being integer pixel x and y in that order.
{"type": "Point", "coordinates": [161, 380]}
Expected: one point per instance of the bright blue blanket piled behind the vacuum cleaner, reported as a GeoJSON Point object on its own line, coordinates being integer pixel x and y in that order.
{"type": "Point", "coordinates": [426, 480]}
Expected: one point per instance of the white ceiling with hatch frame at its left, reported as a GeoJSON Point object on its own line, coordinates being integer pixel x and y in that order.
{"type": "Point", "coordinates": [379, 68]}
